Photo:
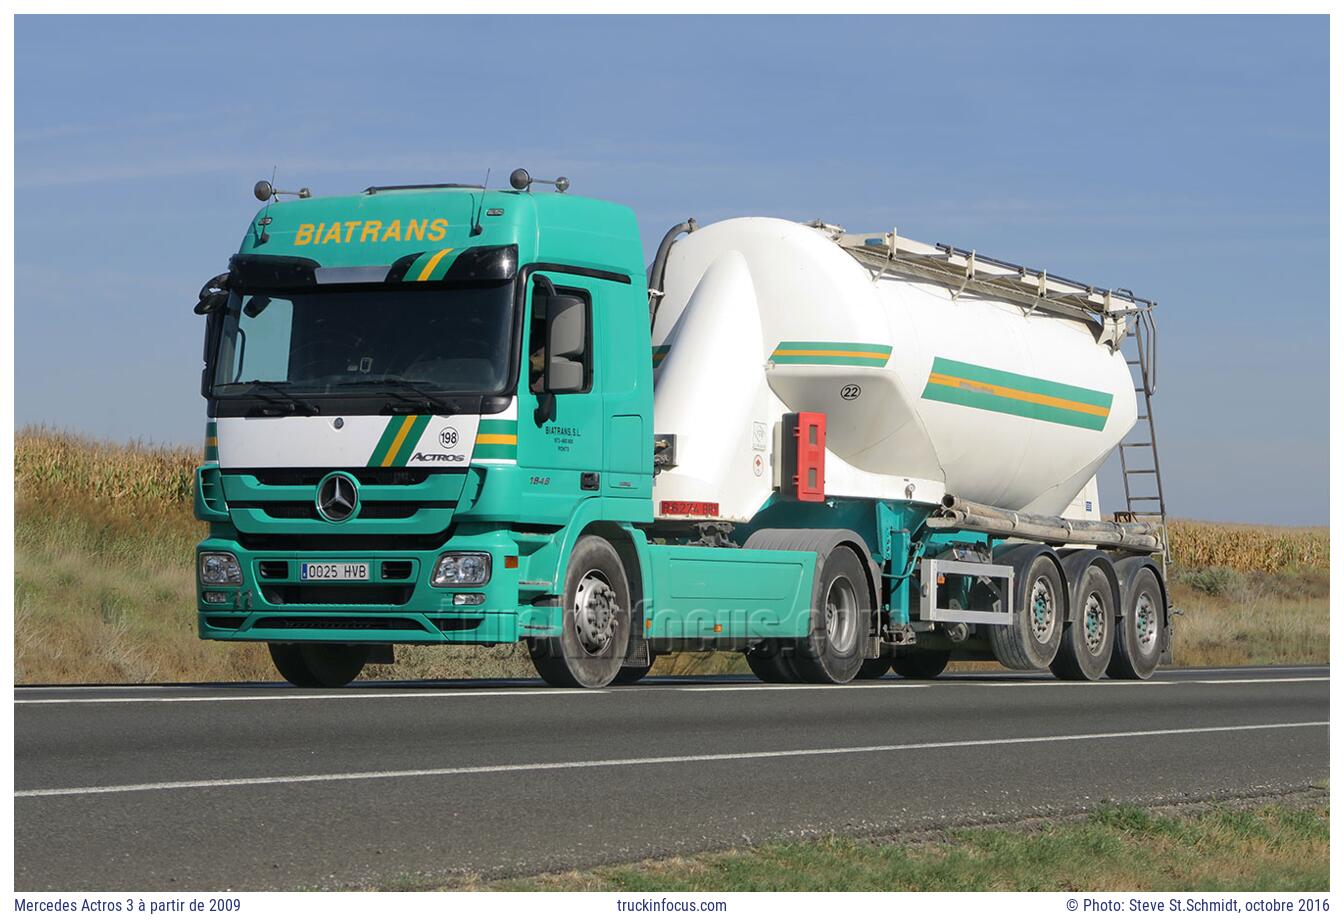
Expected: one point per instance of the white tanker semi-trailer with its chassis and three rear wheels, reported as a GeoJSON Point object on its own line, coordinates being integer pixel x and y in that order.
{"type": "Point", "coordinates": [972, 400]}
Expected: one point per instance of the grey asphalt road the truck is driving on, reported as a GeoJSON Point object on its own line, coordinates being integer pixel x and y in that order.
{"type": "Point", "coordinates": [269, 788]}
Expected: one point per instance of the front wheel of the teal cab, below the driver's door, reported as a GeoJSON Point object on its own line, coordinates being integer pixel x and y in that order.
{"type": "Point", "coordinates": [596, 624]}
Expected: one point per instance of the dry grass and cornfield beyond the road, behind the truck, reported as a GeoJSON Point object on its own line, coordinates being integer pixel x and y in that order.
{"type": "Point", "coordinates": [104, 588]}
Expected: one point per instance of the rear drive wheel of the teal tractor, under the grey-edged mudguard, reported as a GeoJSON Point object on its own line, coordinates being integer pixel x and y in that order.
{"type": "Point", "coordinates": [833, 653]}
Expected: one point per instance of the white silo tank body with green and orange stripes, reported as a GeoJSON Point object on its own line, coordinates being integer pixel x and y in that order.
{"type": "Point", "coordinates": [928, 390]}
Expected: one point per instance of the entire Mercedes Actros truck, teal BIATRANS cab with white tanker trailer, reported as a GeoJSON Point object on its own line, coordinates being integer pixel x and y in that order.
{"type": "Point", "coordinates": [462, 416]}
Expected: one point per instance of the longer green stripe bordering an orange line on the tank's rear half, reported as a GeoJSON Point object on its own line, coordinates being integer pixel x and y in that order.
{"type": "Point", "coordinates": [991, 402]}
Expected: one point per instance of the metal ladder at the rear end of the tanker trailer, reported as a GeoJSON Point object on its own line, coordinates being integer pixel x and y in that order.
{"type": "Point", "coordinates": [1139, 464]}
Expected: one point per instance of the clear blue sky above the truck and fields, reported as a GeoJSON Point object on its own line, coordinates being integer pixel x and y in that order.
{"type": "Point", "coordinates": [1183, 158]}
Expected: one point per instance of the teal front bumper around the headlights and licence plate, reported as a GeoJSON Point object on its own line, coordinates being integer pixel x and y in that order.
{"type": "Point", "coordinates": [396, 606]}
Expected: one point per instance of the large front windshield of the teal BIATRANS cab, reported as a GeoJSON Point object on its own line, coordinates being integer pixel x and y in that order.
{"type": "Point", "coordinates": [454, 340]}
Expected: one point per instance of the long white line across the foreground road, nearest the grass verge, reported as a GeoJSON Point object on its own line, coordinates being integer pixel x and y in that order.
{"type": "Point", "coordinates": [640, 762]}
